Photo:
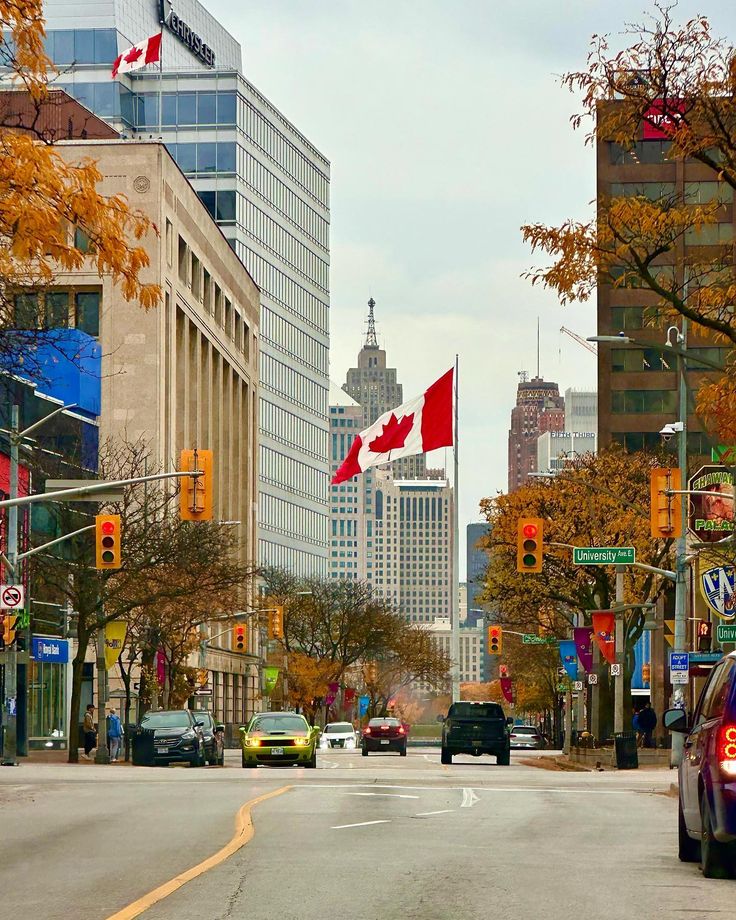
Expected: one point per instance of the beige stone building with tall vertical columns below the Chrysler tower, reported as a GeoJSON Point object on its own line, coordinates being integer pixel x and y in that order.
{"type": "Point", "coordinates": [184, 374]}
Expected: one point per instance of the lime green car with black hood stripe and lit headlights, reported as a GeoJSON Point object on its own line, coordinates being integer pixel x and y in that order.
{"type": "Point", "coordinates": [280, 738]}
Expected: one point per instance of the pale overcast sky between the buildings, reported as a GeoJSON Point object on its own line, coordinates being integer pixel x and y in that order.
{"type": "Point", "coordinates": [447, 129]}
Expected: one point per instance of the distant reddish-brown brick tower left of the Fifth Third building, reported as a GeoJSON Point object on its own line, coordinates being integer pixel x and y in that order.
{"type": "Point", "coordinates": [539, 408]}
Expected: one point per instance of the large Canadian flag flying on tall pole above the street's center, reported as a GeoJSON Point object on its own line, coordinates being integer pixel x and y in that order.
{"type": "Point", "coordinates": [422, 424]}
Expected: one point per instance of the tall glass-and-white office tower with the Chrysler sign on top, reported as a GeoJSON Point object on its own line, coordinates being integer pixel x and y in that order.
{"type": "Point", "coordinates": [268, 188]}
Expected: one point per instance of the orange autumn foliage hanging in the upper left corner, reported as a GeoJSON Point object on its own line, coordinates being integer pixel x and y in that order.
{"type": "Point", "coordinates": [45, 197]}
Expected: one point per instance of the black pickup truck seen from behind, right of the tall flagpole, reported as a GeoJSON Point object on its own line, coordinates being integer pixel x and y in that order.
{"type": "Point", "coordinates": [476, 728]}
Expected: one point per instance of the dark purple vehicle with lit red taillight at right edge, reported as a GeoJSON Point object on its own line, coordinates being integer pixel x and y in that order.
{"type": "Point", "coordinates": [707, 798]}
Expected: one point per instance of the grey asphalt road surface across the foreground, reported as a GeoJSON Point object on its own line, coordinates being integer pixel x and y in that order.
{"type": "Point", "coordinates": [371, 838]}
